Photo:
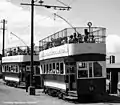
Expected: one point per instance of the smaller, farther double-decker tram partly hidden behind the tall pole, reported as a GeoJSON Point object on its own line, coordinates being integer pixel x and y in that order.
{"type": "Point", "coordinates": [16, 65]}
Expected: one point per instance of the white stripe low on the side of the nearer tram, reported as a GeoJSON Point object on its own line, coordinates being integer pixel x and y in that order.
{"type": "Point", "coordinates": [55, 84]}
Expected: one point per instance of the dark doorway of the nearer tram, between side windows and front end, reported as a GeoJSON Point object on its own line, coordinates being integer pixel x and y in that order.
{"type": "Point", "coordinates": [70, 69]}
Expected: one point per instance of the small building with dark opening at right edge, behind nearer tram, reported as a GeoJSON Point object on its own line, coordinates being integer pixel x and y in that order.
{"type": "Point", "coordinates": [113, 71]}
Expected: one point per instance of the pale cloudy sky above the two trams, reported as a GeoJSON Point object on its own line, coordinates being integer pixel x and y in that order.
{"type": "Point", "coordinates": [102, 13]}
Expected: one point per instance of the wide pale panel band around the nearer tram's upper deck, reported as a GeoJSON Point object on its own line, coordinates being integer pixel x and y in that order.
{"type": "Point", "coordinates": [72, 49]}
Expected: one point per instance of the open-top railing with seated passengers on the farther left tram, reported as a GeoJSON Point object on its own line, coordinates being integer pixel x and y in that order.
{"type": "Point", "coordinates": [21, 50]}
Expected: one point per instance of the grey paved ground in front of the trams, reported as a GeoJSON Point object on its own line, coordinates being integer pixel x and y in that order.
{"type": "Point", "coordinates": [17, 96]}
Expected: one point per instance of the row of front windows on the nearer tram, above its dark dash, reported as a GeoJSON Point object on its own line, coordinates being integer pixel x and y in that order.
{"type": "Point", "coordinates": [89, 69]}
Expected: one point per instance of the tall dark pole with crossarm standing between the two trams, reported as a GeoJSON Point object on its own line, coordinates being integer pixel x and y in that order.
{"type": "Point", "coordinates": [32, 88]}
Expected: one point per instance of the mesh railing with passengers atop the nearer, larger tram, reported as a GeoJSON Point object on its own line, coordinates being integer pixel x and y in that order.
{"type": "Point", "coordinates": [74, 35]}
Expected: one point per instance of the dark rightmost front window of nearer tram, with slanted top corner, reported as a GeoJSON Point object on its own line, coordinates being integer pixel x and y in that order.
{"type": "Point", "coordinates": [97, 68]}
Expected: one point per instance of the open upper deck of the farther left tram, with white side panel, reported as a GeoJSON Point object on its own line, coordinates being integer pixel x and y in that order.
{"type": "Point", "coordinates": [20, 54]}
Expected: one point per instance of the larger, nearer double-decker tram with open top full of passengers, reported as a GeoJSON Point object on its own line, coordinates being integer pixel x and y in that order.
{"type": "Point", "coordinates": [72, 62]}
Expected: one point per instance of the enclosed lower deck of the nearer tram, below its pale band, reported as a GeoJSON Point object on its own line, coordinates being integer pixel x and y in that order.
{"type": "Point", "coordinates": [70, 76]}
